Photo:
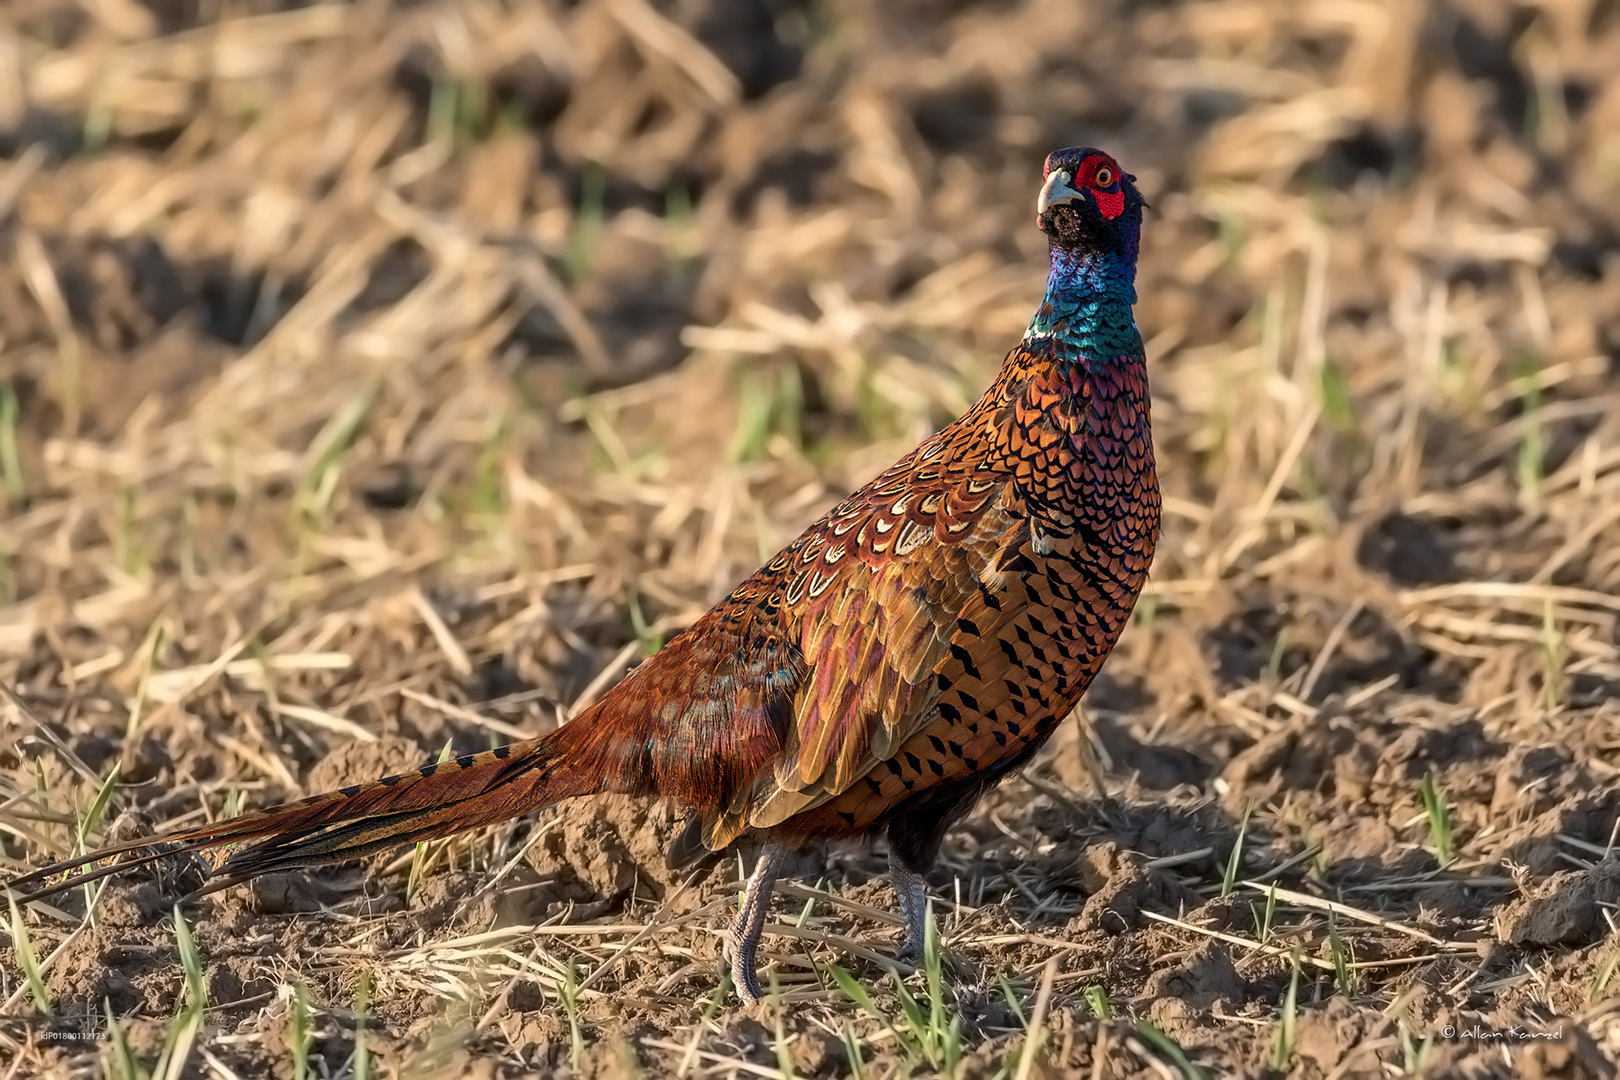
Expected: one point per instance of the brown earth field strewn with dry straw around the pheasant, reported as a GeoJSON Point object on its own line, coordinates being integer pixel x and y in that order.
{"type": "Point", "coordinates": [386, 378]}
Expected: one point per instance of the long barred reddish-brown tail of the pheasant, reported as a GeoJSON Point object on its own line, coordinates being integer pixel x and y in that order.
{"type": "Point", "coordinates": [432, 802]}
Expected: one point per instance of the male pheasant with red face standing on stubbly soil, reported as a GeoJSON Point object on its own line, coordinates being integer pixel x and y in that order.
{"type": "Point", "coordinates": [882, 673]}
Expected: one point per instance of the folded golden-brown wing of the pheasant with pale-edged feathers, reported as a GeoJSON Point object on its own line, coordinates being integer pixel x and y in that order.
{"type": "Point", "coordinates": [882, 589]}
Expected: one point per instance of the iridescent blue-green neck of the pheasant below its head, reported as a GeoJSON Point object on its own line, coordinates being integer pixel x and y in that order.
{"type": "Point", "coordinates": [1088, 307]}
